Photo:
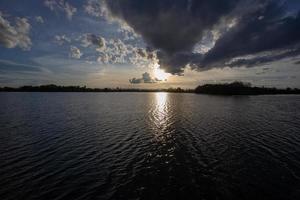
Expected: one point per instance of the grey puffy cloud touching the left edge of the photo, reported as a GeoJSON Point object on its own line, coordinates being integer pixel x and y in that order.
{"type": "Point", "coordinates": [17, 35]}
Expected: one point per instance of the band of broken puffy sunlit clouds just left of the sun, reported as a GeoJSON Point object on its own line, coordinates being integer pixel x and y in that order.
{"type": "Point", "coordinates": [111, 51]}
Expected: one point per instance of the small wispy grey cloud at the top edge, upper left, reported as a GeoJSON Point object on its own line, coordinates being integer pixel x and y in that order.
{"type": "Point", "coordinates": [61, 6]}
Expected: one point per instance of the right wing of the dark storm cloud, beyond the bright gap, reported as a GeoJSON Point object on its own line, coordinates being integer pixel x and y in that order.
{"type": "Point", "coordinates": [264, 30]}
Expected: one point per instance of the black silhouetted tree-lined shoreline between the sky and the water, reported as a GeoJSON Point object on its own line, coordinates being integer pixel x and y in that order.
{"type": "Point", "coordinates": [235, 88]}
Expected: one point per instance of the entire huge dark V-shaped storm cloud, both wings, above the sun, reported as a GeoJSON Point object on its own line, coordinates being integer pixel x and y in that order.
{"type": "Point", "coordinates": [173, 27]}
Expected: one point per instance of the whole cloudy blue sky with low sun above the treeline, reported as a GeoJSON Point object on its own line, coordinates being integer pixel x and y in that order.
{"type": "Point", "coordinates": [149, 43]}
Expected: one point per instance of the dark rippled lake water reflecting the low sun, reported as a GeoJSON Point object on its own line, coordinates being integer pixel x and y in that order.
{"type": "Point", "coordinates": [148, 146]}
